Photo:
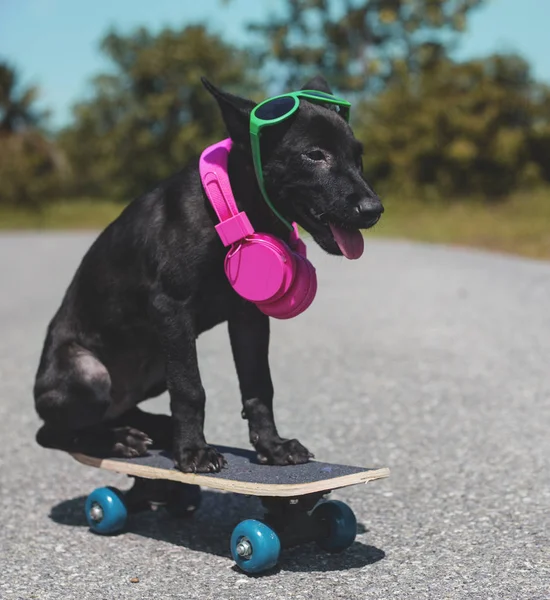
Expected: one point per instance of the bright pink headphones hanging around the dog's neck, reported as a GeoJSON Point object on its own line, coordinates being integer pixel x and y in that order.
{"type": "Point", "coordinates": [261, 268]}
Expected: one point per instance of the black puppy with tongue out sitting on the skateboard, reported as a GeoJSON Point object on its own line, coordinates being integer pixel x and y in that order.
{"type": "Point", "coordinates": [153, 281]}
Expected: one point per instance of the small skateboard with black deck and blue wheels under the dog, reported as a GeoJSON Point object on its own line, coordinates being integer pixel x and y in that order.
{"type": "Point", "coordinates": [293, 496]}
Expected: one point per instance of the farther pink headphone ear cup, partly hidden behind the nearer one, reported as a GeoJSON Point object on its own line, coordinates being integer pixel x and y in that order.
{"type": "Point", "coordinates": [299, 296]}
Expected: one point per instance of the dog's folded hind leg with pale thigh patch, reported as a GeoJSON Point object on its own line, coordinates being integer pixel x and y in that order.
{"type": "Point", "coordinates": [73, 395]}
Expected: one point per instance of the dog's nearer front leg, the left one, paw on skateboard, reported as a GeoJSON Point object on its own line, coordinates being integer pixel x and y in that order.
{"type": "Point", "coordinates": [187, 397]}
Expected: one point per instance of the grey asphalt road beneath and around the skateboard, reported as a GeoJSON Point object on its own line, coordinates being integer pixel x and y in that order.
{"type": "Point", "coordinates": [432, 361]}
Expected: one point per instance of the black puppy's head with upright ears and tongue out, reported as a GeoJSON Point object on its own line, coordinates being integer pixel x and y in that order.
{"type": "Point", "coordinates": [312, 169]}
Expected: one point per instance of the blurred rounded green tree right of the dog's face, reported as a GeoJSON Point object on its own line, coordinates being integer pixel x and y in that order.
{"type": "Point", "coordinates": [475, 128]}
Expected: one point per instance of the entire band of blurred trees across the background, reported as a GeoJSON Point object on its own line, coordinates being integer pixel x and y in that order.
{"type": "Point", "coordinates": [432, 127]}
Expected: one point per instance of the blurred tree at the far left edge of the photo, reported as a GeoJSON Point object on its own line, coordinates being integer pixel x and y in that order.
{"type": "Point", "coordinates": [32, 168]}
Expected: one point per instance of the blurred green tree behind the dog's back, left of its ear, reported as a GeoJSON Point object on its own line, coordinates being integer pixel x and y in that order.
{"type": "Point", "coordinates": [151, 114]}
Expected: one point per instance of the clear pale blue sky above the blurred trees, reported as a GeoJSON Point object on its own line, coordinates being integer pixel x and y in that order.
{"type": "Point", "coordinates": [55, 42]}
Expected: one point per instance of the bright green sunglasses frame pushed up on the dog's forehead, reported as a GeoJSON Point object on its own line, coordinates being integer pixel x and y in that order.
{"type": "Point", "coordinates": [257, 124]}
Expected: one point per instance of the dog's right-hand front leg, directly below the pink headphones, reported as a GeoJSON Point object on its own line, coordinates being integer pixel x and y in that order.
{"type": "Point", "coordinates": [249, 335]}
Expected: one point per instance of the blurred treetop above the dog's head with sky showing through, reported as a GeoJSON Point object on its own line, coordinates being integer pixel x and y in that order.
{"type": "Point", "coordinates": [359, 44]}
